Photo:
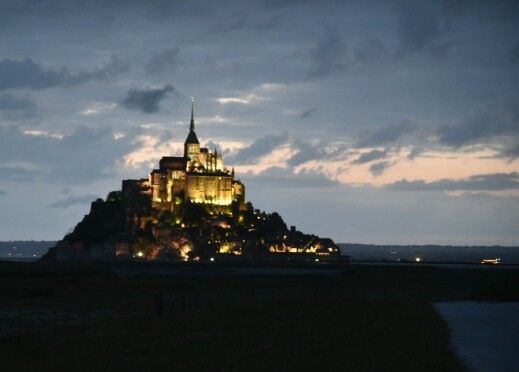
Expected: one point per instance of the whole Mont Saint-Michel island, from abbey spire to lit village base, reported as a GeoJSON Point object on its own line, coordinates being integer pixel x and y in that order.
{"type": "Point", "coordinates": [191, 208]}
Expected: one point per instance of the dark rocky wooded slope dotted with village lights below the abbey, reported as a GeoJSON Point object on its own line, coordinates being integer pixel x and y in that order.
{"type": "Point", "coordinates": [125, 226]}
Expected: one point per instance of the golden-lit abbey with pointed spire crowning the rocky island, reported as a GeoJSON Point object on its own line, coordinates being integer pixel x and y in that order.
{"type": "Point", "coordinates": [198, 176]}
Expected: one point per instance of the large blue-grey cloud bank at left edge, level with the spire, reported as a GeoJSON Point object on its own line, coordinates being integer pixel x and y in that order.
{"type": "Point", "coordinates": [84, 156]}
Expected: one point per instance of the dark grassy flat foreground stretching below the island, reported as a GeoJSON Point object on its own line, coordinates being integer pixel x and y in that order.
{"type": "Point", "coordinates": [100, 317]}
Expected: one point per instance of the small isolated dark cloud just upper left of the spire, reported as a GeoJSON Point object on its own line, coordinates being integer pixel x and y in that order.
{"type": "Point", "coordinates": [146, 100]}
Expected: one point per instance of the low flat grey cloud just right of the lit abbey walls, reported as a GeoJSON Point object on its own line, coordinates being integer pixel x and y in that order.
{"type": "Point", "coordinates": [277, 177]}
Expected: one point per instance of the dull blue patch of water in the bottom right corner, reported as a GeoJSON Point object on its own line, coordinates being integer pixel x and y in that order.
{"type": "Point", "coordinates": [485, 335]}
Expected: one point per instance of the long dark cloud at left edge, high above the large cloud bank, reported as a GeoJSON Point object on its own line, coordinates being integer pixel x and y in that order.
{"type": "Point", "coordinates": [28, 74]}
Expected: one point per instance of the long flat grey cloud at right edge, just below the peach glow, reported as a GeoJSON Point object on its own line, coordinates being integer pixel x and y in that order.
{"type": "Point", "coordinates": [480, 182]}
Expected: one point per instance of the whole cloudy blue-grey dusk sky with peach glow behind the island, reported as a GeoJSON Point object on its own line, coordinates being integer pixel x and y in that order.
{"type": "Point", "coordinates": [365, 121]}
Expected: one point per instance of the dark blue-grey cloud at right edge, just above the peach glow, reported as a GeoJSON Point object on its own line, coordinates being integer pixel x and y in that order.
{"type": "Point", "coordinates": [482, 127]}
